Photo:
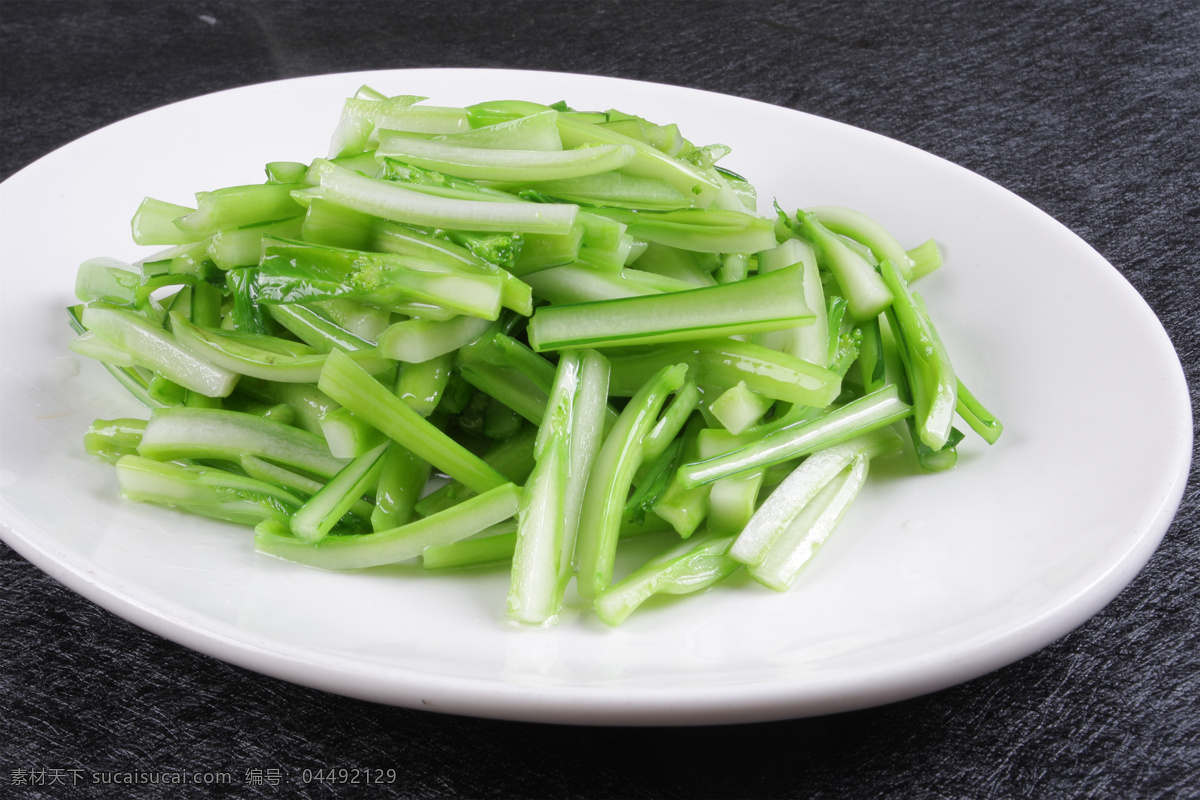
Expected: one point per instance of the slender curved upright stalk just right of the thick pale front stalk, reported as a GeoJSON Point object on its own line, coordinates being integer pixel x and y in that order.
{"type": "Point", "coordinates": [611, 477]}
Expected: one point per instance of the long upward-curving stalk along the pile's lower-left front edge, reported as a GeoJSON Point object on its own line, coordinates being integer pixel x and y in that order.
{"type": "Point", "coordinates": [397, 545]}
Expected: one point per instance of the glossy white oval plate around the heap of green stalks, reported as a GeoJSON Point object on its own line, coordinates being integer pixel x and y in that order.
{"type": "Point", "coordinates": [931, 580]}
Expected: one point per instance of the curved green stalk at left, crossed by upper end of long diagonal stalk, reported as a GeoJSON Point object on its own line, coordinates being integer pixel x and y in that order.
{"type": "Point", "coordinates": [263, 357]}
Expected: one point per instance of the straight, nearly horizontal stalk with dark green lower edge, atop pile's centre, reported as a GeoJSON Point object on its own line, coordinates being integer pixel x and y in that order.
{"type": "Point", "coordinates": [763, 304]}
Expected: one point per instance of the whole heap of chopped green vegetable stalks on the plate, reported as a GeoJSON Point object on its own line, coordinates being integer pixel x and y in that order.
{"type": "Point", "coordinates": [519, 334]}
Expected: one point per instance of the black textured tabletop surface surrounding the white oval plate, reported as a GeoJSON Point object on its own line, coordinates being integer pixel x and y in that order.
{"type": "Point", "coordinates": [1089, 110]}
